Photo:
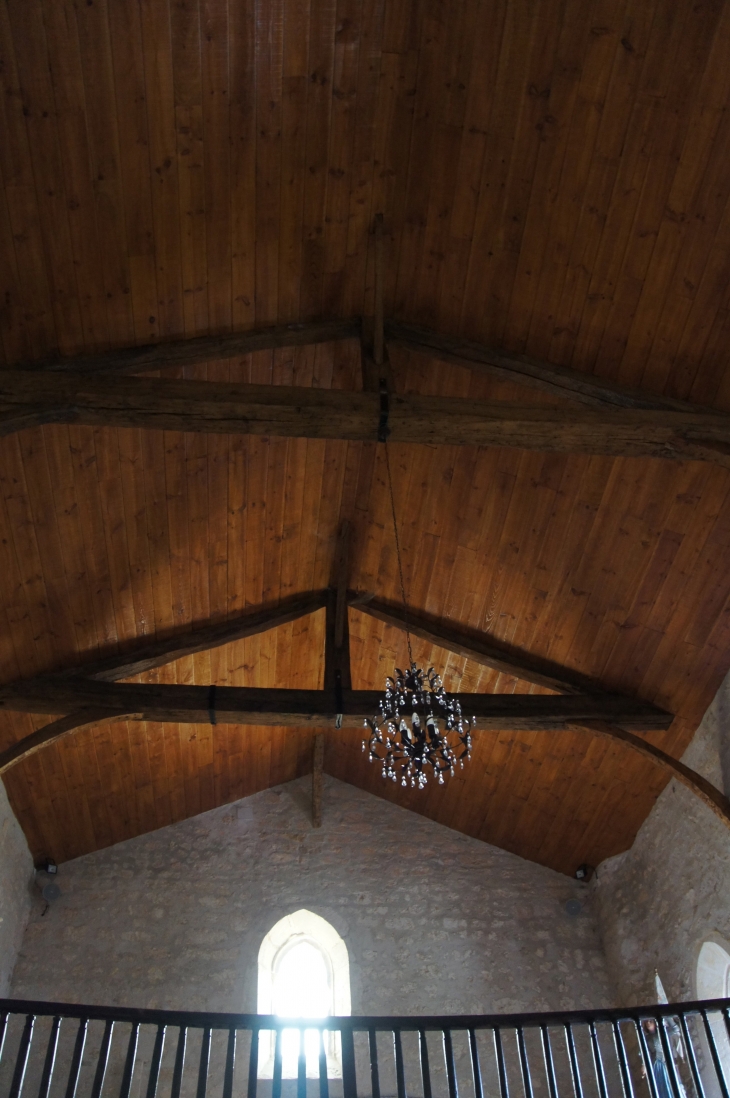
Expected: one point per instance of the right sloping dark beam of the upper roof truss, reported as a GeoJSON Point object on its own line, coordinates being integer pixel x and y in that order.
{"type": "Point", "coordinates": [556, 380]}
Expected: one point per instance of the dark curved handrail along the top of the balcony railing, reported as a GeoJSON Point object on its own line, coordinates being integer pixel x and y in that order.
{"type": "Point", "coordinates": [194, 1019]}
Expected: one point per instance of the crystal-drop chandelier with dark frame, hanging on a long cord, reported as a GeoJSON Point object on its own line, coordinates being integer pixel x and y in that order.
{"type": "Point", "coordinates": [420, 729]}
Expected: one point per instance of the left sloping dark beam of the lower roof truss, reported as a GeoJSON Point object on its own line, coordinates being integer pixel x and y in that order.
{"type": "Point", "coordinates": [144, 655]}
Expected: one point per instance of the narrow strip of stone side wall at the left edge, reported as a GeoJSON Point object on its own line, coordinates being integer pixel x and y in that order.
{"type": "Point", "coordinates": [16, 890]}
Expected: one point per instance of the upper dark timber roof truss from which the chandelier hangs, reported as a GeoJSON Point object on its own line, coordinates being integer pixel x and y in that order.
{"type": "Point", "coordinates": [600, 419]}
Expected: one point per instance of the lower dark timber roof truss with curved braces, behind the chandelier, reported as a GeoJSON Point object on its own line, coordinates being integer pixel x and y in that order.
{"type": "Point", "coordinates": [93, 696]}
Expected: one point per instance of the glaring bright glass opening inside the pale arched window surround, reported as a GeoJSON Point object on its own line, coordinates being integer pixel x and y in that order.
{"type": "Point", "coordinates": [301, 990]}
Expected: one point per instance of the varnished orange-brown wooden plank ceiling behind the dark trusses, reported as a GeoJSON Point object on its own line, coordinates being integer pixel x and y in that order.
{"type": "Point", "coordinates": [555, 181]}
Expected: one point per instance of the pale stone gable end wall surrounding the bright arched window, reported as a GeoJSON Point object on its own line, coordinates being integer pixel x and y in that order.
{"type": "Point", "coordinates": [434, 922]}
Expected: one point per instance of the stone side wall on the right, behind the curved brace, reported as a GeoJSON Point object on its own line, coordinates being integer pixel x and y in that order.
{"type": "Point", "coordinates": [661, 900]}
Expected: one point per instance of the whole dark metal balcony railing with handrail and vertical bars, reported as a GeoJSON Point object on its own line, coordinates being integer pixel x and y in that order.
{"type": "Point", "coordinates": [54, 1050]}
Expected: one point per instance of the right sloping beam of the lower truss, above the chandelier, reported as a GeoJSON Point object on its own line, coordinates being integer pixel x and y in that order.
{"type": "Point", "coordinates": [479, 648]}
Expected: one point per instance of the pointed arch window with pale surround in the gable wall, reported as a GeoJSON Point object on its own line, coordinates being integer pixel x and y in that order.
{"type": "Point", "coordinates": [305, 972]}
